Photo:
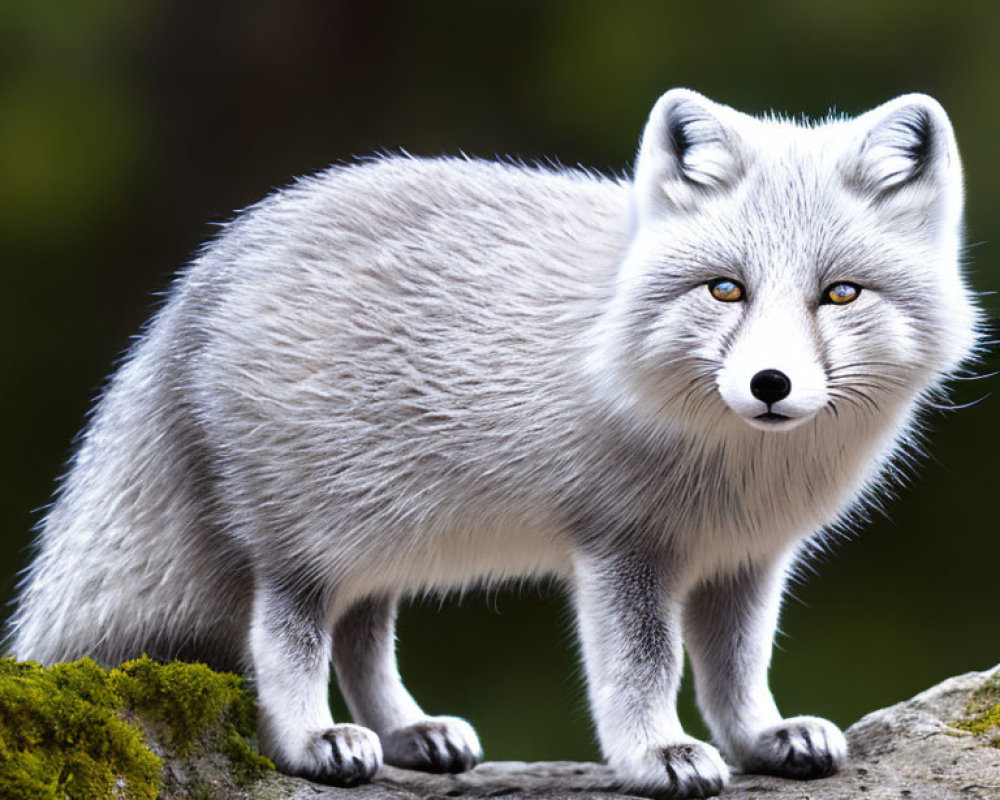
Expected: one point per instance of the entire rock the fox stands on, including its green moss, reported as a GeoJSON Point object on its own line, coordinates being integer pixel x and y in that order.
{"type": "Point", "coordinates": [943, 744]}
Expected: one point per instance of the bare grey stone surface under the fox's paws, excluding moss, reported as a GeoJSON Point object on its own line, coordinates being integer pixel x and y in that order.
{"type": "Point", "coordinates": [909, 751]}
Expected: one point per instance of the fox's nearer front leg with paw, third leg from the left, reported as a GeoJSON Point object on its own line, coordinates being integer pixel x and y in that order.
{"type": "Point", "coordinates": [630, 634]}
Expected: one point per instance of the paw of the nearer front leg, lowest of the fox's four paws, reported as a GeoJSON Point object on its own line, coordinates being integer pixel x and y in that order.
{"type": "Point", "coordinates": [687, 769]}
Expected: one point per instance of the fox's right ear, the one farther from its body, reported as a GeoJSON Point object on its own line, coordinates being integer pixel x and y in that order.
{"type": "Point", "coordinates": [907, 142]}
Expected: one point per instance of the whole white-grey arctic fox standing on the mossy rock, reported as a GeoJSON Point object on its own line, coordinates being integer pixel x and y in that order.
{"type": "Point", "coordinates": [414, 375]}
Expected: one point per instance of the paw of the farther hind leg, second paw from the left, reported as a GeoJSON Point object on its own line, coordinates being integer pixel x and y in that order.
{"type": "Point", "coordinates": [437, 744]}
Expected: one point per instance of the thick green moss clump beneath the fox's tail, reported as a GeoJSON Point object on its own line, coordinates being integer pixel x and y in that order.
{"type": "Point", "coordinates": [74, 731]}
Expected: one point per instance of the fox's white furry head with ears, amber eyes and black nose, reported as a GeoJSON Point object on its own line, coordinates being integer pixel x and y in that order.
{"type": "Point", "coordinates": [782, 272]}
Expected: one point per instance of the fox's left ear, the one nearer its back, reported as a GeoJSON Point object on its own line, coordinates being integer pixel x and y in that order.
{"type": "Point", "coordinates": [689, 149]}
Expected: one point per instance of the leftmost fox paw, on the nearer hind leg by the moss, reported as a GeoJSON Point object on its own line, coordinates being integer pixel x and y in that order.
{"type": "Point", "coordinates": [344, 755]}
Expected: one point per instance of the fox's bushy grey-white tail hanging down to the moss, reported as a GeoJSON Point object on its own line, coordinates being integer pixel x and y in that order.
{"type": "Point", "coordinates": [130, 558]}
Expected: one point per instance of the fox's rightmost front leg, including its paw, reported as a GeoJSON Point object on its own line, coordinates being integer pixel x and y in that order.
{"type": "Point", "coordinates": [729, 625]}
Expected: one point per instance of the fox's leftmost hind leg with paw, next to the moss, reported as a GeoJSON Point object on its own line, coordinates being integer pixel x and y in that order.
{"type": "Point", "coordinates": [290, 650]}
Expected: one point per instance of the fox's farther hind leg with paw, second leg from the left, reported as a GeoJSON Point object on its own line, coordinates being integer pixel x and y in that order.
{"type": "Point", "coordinates": [365, 659]}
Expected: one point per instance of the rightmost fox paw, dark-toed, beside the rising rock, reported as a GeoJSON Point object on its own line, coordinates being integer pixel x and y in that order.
{"type": "Point", "coordinates": [799, 747]}
